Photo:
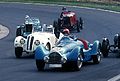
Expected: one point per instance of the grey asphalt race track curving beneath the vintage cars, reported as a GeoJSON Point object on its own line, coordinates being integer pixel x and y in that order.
{"type": "Point", "coordinates": [98, 24]}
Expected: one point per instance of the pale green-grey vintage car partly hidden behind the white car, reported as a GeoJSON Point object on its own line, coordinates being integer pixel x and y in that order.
{"type": "Point", "coordinates": [28, 26]}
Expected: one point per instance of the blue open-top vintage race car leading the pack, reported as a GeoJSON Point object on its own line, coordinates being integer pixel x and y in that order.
{"type": "Point", "coordinates": [68, 53]}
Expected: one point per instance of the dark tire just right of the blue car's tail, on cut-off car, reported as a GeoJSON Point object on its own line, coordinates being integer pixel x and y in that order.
{"type": "Point", "coordinates": [105, 48]}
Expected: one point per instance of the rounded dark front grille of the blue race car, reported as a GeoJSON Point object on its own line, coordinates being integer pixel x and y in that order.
{"type": "Point", "coordinates": [55, 58]}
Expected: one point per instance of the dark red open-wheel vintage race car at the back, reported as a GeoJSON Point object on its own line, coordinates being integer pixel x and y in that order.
{"type": "Point", "coordinates": [69, 20]}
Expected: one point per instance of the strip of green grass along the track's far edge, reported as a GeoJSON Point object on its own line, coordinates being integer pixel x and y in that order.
{"type": "Point", "coordinates": [101, 5]}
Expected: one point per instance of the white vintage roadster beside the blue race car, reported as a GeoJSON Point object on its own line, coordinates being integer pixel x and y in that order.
{"type": "Point", "coordinates": [41, 35]}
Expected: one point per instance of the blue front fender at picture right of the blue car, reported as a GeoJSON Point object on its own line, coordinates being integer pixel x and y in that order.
{"type": "Point", "coordinates": [73, 55]}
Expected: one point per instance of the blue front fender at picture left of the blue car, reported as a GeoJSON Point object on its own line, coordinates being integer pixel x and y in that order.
{"type": "Point", "coordinates": [40, 52]}
